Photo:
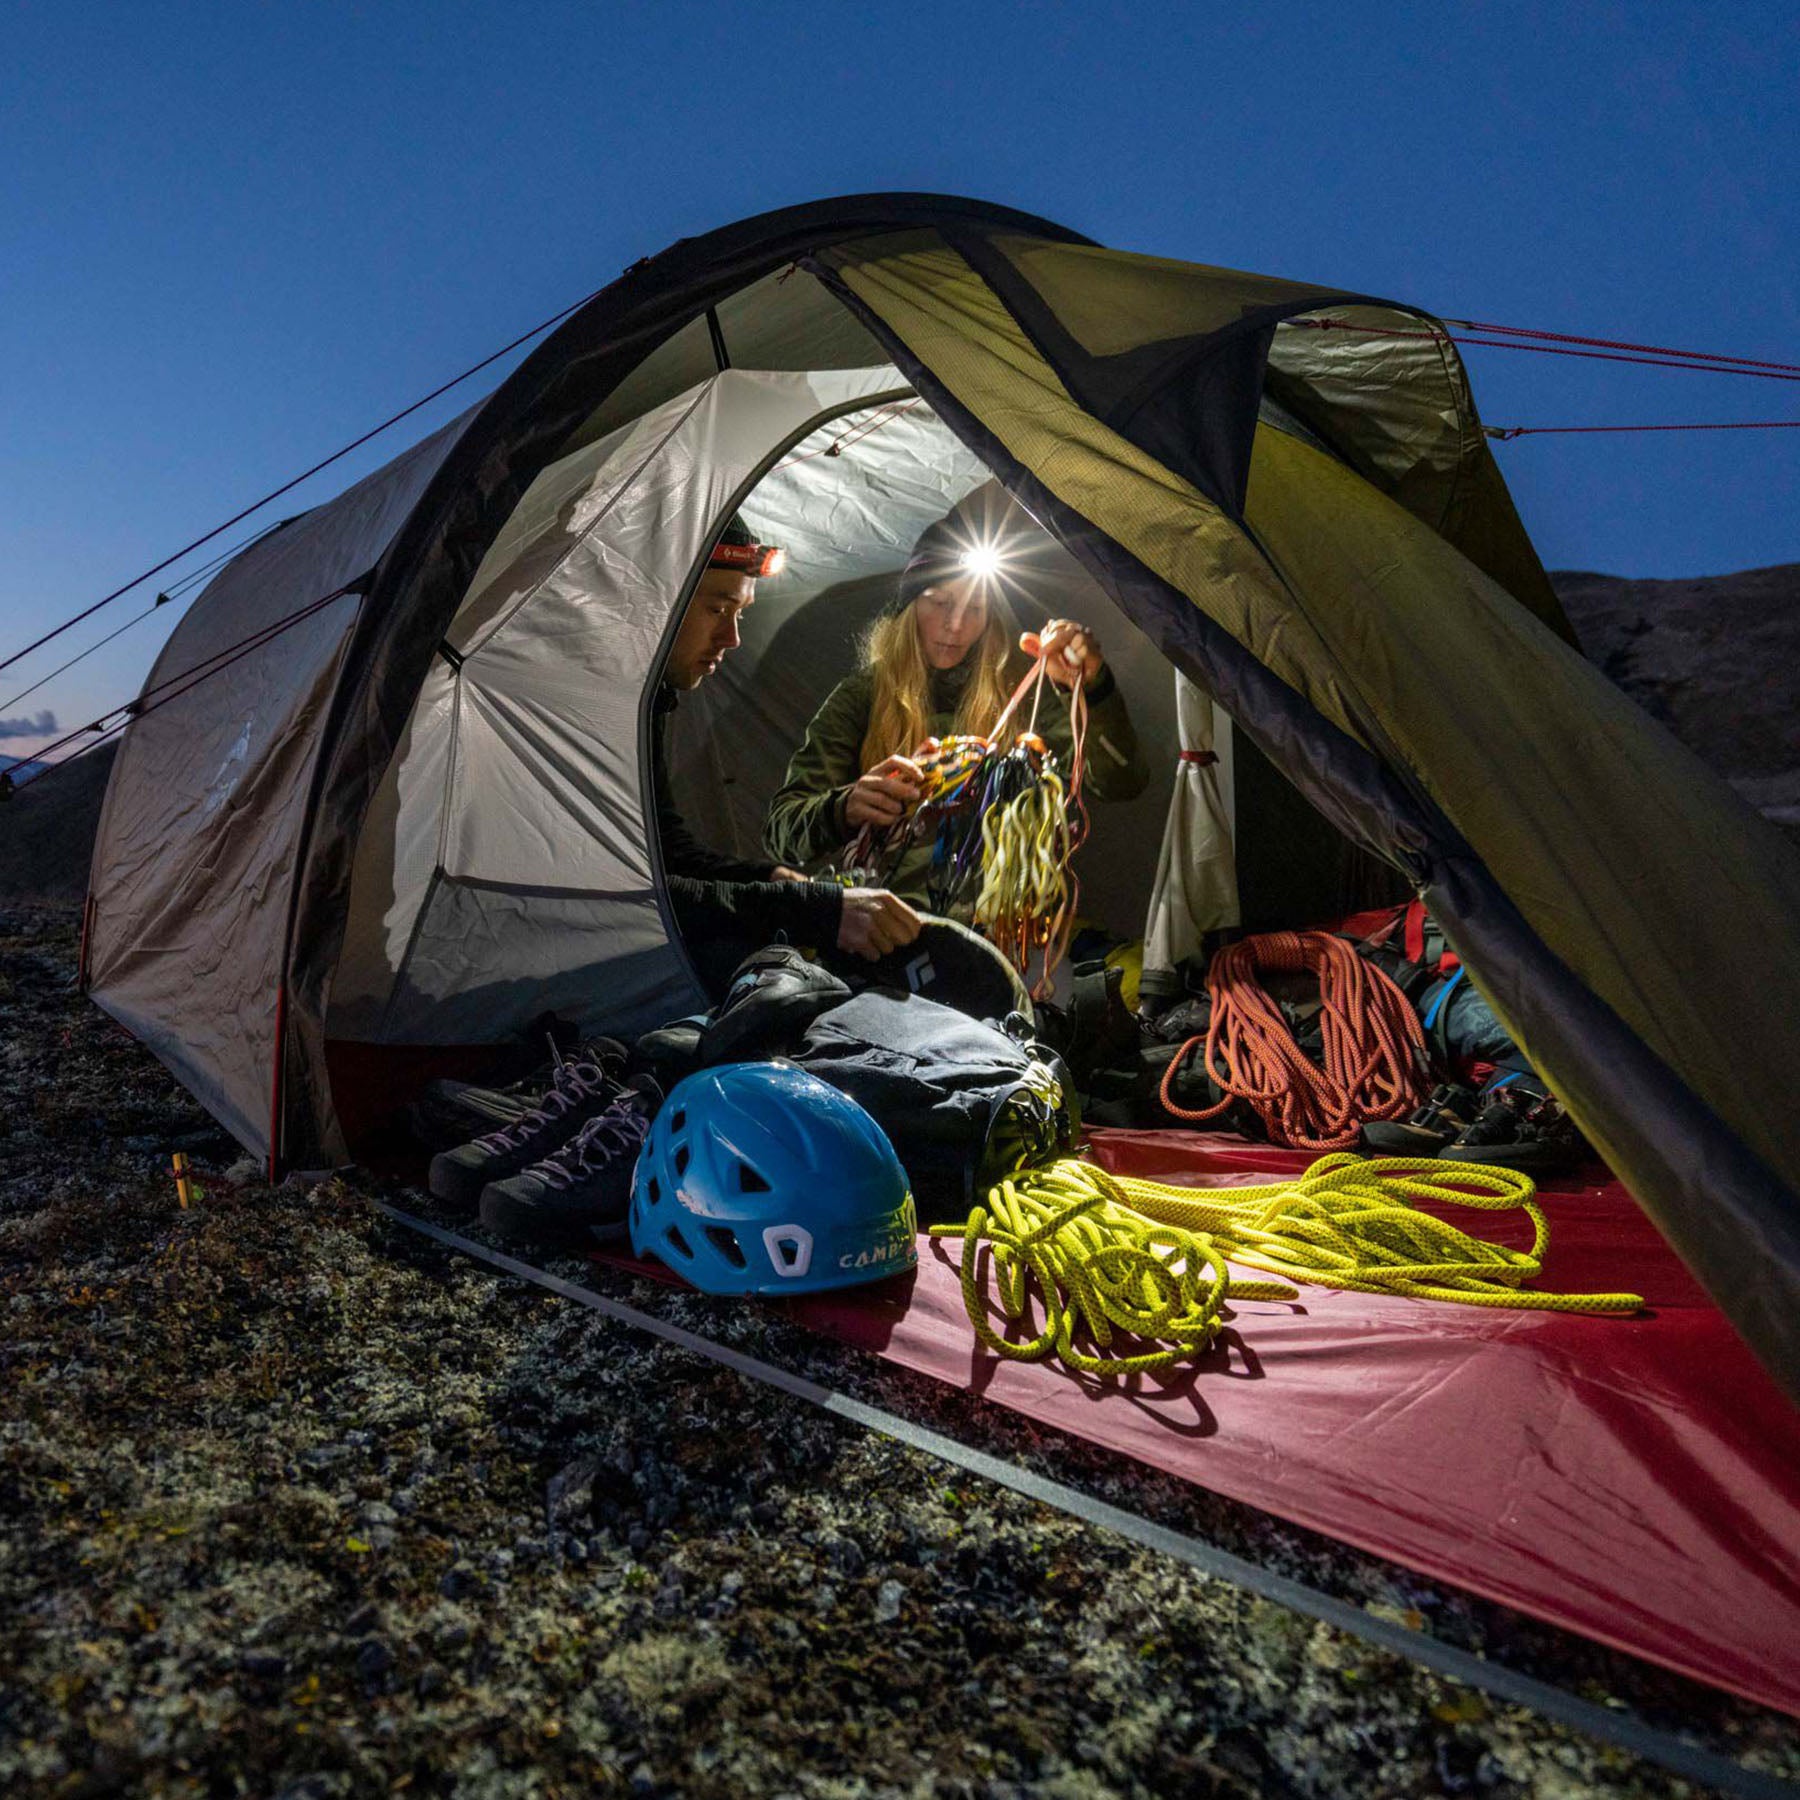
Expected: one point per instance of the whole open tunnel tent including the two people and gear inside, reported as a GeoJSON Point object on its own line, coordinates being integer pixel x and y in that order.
{"type": "Point", "coordinates": [1331, 1068]}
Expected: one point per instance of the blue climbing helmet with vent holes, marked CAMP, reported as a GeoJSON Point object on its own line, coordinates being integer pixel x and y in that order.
{"type": "Point", "coordinates": [759, 1178]}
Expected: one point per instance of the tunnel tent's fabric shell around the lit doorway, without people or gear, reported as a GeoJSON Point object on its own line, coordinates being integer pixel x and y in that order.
{"type": "Point", "coordinates": [1284, 487]}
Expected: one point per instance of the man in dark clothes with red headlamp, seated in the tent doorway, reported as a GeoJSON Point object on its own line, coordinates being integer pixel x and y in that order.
{"type": "Point", "coordinates": [728, 906]}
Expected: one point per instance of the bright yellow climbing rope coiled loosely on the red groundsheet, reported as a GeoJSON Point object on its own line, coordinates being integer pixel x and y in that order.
{"type": "Point", "coordinates": [1111, 1254]}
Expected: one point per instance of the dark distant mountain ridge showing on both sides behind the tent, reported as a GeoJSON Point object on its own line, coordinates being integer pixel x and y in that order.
{"type": "Point", "coordinates": [1713, 658]}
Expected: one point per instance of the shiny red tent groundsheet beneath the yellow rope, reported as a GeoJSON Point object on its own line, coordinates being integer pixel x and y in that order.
{"type": "Point", "coordinates": [1633, 1480]}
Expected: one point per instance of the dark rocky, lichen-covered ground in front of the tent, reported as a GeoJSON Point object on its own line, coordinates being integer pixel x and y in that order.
{"type": "Point", "coordinates": [296, 1504]}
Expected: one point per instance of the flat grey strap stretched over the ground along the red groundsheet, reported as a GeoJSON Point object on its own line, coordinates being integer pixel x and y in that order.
{"type": "Point", "coordinates": [1466, 1668]}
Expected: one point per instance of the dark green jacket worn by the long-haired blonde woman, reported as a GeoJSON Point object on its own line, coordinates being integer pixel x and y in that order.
{"type": "Point", "coordinates": [807, 816]}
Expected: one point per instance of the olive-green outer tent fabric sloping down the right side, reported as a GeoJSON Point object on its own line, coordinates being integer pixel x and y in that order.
{"type": "Point", "coordinates": [1630, 919]}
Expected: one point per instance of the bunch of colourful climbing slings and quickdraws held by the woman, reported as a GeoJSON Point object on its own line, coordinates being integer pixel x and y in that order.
{"type": "Point", "coordinates": [1005, 825]}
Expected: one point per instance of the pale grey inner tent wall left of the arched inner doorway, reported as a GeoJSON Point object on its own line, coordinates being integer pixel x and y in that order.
{"type": "Point", "coordinates": [514, 870]}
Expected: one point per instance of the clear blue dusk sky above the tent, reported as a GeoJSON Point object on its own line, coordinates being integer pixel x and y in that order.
{"type": "Point", "coordinates": [233, 237]}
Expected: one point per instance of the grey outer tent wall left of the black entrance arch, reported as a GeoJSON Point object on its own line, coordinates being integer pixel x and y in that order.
{"type": "Point", "coordinates": [206, 809]}
